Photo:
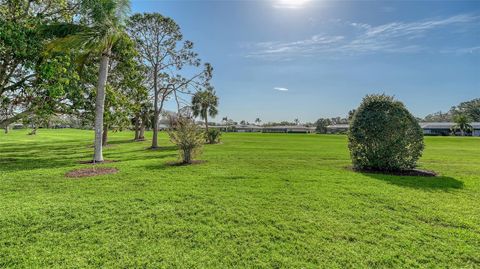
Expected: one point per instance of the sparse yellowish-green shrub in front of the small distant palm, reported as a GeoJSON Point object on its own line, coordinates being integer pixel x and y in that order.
{"type": "Point", "coordinates": [188, 137]}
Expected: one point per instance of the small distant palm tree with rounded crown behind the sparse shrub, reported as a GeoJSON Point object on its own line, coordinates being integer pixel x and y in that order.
{"type": "Point", "coordinates": [204, 104]}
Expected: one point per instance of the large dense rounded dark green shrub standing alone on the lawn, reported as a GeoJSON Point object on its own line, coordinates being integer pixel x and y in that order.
{"type": "Point", "coordinates": [384, 136]}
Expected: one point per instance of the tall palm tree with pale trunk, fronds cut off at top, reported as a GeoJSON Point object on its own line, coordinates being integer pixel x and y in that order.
{"type": "Point", "coordinates": [105, 28]}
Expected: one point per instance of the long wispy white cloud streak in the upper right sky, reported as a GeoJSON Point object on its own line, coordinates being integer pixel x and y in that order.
{"type": "Point", "coordinates": [395, 37]}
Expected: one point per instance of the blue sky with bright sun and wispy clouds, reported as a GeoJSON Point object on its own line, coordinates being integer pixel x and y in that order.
{"type": "Point", "coordinates": [285, 59]}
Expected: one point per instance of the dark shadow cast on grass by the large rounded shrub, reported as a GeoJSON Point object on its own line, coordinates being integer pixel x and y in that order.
{"type": "Point", "coordinates": [427, 183]}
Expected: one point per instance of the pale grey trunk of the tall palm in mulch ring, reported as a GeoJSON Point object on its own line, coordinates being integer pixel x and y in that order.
{"type": "Point", "coordinates": [100, 105]}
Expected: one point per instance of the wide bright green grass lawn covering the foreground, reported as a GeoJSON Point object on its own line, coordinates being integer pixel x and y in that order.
{"type": "Point", "coordinates": [260, 200]}
